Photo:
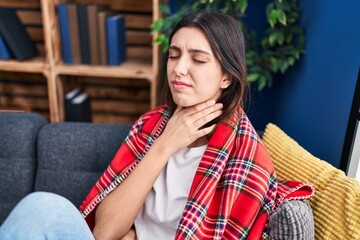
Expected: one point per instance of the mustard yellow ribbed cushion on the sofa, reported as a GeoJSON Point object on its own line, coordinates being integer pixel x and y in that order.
{"type": "Point", "coordinates": [336, 204]}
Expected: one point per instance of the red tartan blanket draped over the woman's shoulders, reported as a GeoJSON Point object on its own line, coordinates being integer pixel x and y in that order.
{"type": "Point", "coordinates": [234, 188]}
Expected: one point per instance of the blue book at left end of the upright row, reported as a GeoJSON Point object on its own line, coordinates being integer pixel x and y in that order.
{"type": "Point", "coordinates": [65, 33]}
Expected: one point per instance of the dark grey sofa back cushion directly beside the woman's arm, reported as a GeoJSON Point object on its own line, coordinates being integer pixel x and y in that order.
{"type": "Point", "coordinates": [72, 156]}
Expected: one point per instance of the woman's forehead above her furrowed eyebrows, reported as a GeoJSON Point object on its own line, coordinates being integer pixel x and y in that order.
{"type": "Point", "coordinates": [191, 38]}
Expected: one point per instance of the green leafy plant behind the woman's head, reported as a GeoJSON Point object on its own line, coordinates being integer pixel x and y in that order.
{"type": "Point", "coordinates": [279, 47]}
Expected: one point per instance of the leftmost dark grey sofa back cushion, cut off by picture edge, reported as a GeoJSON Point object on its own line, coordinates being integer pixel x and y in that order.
{"type": "Point", "coordinates": [18, 133]}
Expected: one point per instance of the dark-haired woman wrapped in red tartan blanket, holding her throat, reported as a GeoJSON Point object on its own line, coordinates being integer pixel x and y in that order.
{"type": "Point", "coordinates": [195, 167]}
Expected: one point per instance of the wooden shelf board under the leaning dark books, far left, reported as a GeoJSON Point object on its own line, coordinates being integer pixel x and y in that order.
{"type": "Point", "coordinates": [35, 65]}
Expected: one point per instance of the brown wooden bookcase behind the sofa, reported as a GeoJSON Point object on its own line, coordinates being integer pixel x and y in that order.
{"type": "Point", "coordinates": [140, 69]}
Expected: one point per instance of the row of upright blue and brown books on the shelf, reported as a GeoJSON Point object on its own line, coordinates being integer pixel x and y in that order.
{"type": "Point", "coordinates": [90, 34]}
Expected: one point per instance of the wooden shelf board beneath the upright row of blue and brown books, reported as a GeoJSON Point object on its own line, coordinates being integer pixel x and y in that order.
{"type": "Point", "coordinates": [129, 69]}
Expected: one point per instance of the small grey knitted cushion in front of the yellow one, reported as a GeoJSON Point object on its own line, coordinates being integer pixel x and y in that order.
{"type": "Point", "coordinates": [292, 220]}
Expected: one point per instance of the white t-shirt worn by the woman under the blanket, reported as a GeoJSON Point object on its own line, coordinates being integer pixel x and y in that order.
{"type": "Point", "coordinates": [163, 207]}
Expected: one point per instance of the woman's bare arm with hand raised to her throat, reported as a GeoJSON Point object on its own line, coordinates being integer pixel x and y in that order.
{"type": "Point", "coordinates": [117, 212]}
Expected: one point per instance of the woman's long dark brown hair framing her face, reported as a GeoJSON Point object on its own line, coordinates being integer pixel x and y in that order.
{"type": "Point", "coordinates": [227, 42]}
